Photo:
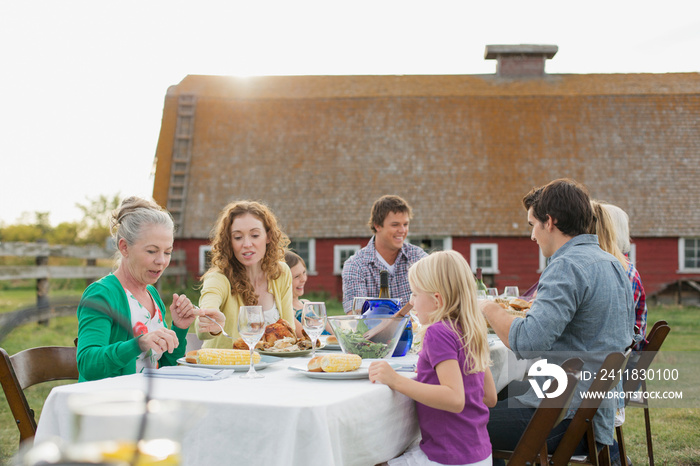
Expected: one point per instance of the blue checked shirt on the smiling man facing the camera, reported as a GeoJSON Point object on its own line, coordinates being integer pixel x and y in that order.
{"type": "Point", "coordinates": [361, 274]}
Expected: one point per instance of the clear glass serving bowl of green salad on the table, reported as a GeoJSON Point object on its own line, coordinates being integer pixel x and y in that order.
{"type": "Point", "coordinates": [370, 337]}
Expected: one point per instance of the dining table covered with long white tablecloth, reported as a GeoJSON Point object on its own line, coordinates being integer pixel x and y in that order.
{"type": "Point", "coordinates": [286, 417]}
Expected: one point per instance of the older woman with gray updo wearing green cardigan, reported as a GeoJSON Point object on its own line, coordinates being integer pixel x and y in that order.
{"type": "Point", "coordinates": [121, 317]}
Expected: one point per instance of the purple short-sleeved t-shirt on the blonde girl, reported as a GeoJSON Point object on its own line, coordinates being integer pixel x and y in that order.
{"type": "Point", "coordinates": [450, 438]}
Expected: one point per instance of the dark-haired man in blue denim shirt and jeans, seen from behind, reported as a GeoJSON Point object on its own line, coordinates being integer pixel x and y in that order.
{"type": "Point", "coordinates": [584, 308]}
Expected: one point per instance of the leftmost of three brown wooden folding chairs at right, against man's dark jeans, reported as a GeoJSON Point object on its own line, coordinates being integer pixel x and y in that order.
{"type": "Point", "coordinates": [548, 415]}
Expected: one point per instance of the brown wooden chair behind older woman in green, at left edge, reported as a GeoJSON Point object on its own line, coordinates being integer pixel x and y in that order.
{"type": "Point", "coordinates": [31, 367]}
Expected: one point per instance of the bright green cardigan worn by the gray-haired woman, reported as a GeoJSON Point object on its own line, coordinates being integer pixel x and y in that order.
{"type": "Point", "coordinates": [106, 343]}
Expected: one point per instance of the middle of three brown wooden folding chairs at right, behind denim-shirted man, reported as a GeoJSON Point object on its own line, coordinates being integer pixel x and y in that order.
{"type": "Point", "coordinates": [582, 423]}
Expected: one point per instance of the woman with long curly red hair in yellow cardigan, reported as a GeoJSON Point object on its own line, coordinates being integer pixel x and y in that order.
{"type": "Point", "coordinates": [247, 269]}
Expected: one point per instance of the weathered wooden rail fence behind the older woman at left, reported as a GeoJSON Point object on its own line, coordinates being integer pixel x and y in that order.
{"type": "Point", "coordinates": [43, 273]}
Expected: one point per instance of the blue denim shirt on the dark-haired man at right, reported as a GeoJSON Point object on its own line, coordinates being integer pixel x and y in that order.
{"type": "Point", "coordinates": [584, 308]}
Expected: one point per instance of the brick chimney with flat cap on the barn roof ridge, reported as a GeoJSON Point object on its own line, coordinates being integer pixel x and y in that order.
{"type": "Point", "coordinates": [520, 60]}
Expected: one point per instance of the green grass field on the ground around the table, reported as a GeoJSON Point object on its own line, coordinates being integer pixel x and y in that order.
{"type": "Point", "coordinates": [676, 433]}
